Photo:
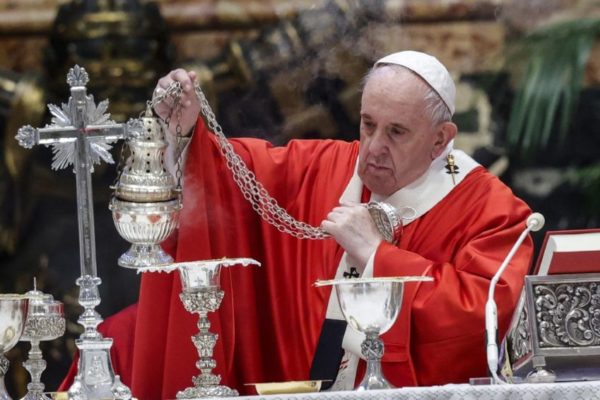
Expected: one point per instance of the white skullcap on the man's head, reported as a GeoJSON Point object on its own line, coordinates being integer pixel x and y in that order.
{"type": "Point", "coordinates": [428, 68]}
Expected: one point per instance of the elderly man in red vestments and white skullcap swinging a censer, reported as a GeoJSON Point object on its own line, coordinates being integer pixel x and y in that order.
{"type": "Point", "coordinates": [274, 325]}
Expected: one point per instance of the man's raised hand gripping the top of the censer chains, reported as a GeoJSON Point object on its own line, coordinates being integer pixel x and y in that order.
{"type": "Point", "coordinates": [190, 107]}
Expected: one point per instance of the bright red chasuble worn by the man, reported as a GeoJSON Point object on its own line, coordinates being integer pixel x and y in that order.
{"type": "Point", "coordinates": [270, 318]}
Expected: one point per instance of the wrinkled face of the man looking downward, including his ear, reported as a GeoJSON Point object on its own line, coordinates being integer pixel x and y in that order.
{"type": "Point", "coordinates": [397, 138]}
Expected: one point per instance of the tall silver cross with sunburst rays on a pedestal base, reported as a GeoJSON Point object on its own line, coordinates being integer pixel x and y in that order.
{"type": "Point", "coordinates": [80, 134]}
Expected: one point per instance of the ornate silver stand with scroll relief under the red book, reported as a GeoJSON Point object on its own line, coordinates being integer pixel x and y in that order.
{"type": "Point", "coordinates": [556, 328]}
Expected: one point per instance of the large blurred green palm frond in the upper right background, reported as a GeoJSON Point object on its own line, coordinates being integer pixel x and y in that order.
{"type": "Point", "coordinates": [548, 92]}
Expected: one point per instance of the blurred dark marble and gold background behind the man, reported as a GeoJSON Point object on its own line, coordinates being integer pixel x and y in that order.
{"type": "Point", "coordinates": [528, 105]}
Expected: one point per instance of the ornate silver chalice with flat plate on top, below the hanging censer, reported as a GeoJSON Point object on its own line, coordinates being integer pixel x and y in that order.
{"type": "Point", "coordinates": [201, 294]}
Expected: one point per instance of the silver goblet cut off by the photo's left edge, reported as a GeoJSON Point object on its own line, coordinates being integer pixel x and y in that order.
{"type": "Point", "coordinates": [13, 311]}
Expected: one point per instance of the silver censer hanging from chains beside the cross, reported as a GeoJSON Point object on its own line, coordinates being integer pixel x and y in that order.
{"type": "Point", "coordinates": [146, 203]}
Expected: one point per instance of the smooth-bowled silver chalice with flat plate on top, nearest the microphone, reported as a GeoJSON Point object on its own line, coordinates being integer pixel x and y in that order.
{"type": "Point", "coordinates": [371, 306]}
